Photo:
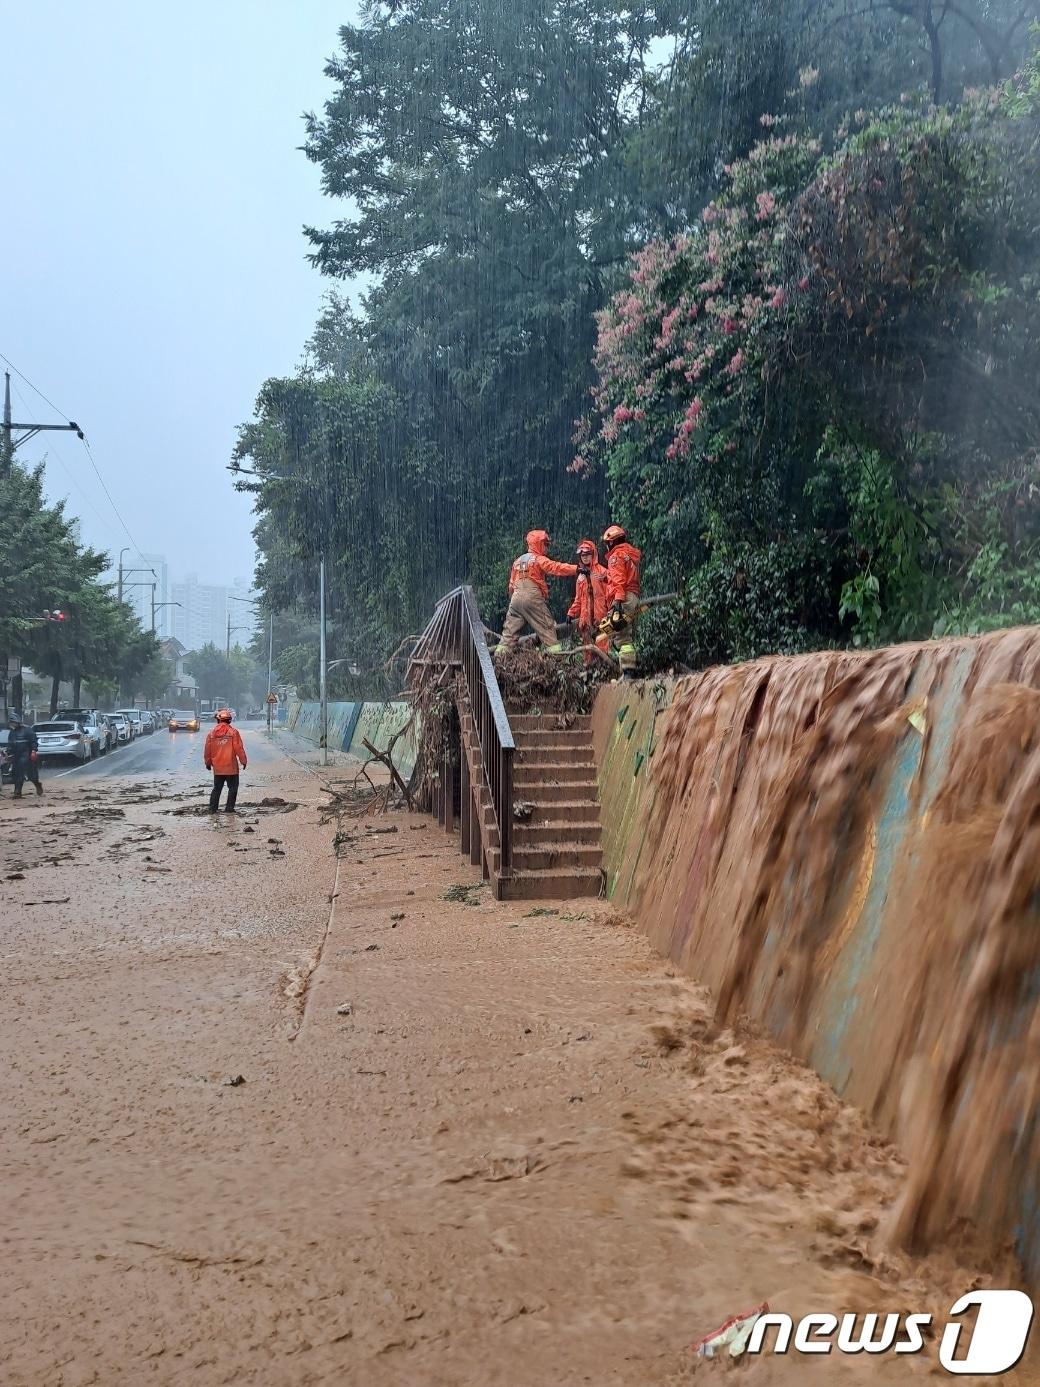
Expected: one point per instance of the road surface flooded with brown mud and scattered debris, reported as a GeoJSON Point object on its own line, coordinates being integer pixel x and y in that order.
{"type": "Point", "coordinates": [281, 1117]}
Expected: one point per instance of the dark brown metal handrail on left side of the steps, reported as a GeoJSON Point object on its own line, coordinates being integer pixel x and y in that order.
{"type": "Point", "coordinates": [457, 636]}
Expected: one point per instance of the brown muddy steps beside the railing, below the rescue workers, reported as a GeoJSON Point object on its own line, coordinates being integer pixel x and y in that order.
{"type": "Point", "coordinates": [557, 851]}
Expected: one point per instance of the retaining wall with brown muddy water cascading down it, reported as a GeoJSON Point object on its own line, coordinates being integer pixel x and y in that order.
{"type": "Point", "coordinates": [847, 848]}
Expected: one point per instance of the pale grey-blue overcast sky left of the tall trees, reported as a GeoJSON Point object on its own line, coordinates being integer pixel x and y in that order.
{"type": "Point", "coordinates": [153, 253]}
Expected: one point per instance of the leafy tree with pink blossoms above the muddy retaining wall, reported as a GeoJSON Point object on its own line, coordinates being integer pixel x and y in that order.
{"type": "Point", "coordinates": [799, 403]}
